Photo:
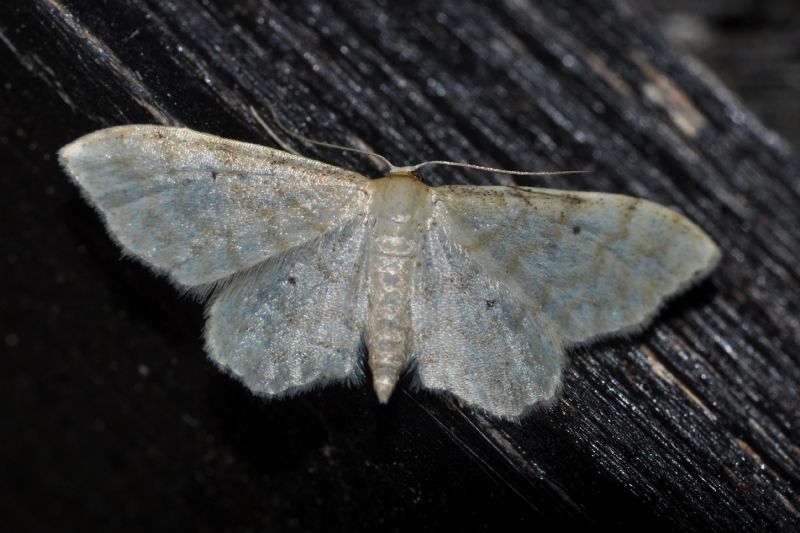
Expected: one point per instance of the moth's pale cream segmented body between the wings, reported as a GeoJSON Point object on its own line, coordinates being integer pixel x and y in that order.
{"type": "Point", "coordinates": [399, 215]}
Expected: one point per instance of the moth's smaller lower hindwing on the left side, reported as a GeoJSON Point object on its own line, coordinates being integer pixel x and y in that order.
{"type": "Point", "coordinates": [295, 321]}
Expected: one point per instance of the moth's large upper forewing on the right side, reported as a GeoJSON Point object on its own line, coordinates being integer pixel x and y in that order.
{"type": "Point", "coordinates": [593, 264]}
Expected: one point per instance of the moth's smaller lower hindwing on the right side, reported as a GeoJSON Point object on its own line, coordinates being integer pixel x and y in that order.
{"type": "Point", "coordinates": [475, 339]}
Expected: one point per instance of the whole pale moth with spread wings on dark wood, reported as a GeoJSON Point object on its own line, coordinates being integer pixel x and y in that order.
{"type": "Point", "coordinates": [478, 289]}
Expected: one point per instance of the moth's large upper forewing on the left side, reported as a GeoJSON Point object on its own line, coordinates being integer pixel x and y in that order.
{"type": "Point", "coordinates": [200, 207]}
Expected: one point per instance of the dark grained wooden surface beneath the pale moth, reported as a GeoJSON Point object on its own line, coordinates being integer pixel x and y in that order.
{"type": "Point", "coordinates": [114, 419]}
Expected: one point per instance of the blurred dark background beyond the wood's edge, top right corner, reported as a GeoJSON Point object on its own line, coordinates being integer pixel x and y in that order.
{"type": "Point", "coordinates": [752, 45]}
